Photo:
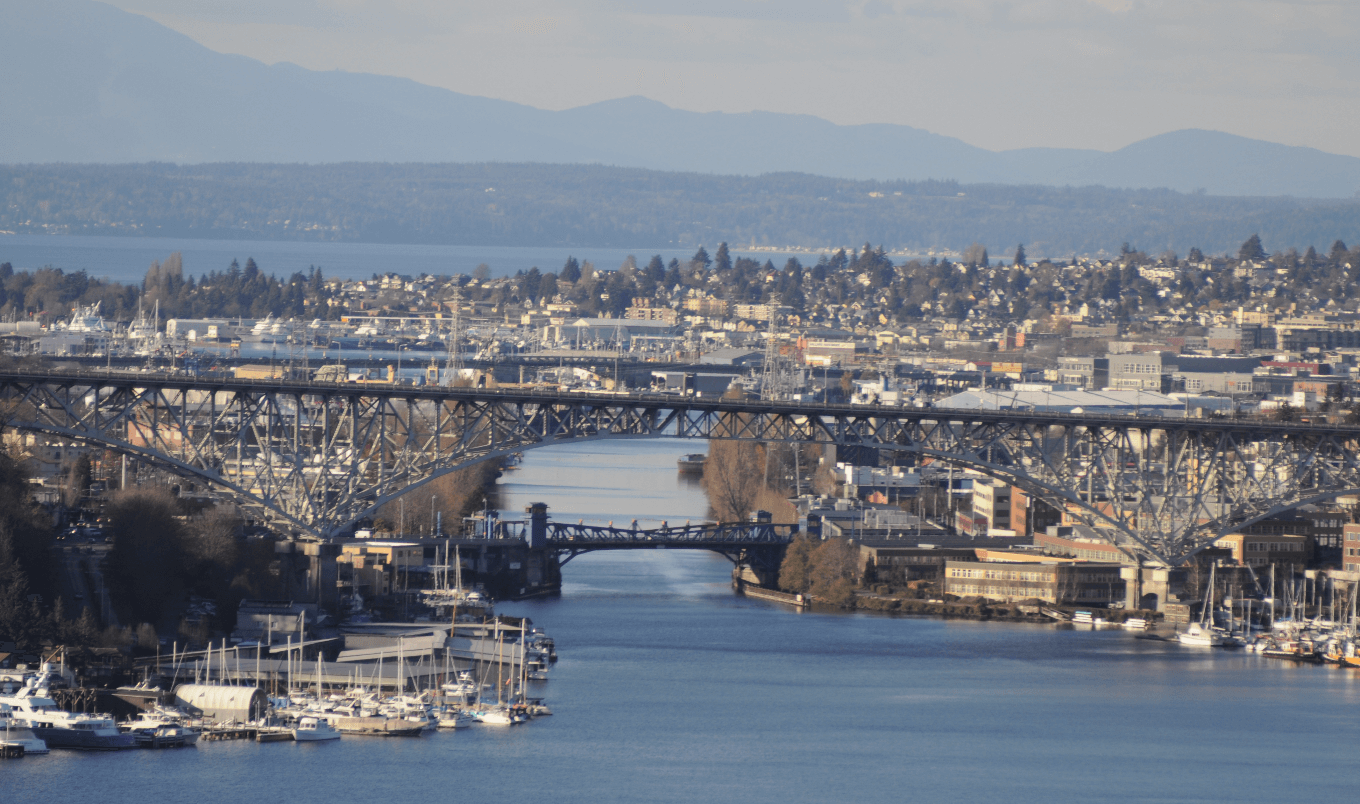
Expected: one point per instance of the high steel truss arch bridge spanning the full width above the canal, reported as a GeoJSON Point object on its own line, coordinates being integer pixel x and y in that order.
{"type": "Point", "coordinates": [320, 456]}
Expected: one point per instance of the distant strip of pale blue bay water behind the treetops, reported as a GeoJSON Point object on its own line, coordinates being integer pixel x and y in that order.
{"type": "Point", "coordinates": [126, 259]}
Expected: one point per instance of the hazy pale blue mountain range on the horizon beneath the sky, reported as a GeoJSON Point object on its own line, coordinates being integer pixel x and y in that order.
{"type": "Point", "coordinates": [86, 82]}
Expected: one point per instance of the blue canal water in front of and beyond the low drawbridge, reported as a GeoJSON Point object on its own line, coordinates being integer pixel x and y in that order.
{"type": "Point", "coordinates": [671, 689]}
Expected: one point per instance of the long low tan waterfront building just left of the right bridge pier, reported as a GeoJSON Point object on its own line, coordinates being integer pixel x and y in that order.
{"type": "Point", "coordinates": [1055, 582]}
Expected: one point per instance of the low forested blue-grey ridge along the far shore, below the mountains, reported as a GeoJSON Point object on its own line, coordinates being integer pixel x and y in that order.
{"type": "Point", "coordinates": [622, 207]}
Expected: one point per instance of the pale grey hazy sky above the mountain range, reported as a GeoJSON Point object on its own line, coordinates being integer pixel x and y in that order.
{"type": "Point", "coordinates": [999, 74]}
